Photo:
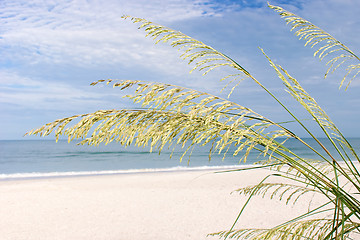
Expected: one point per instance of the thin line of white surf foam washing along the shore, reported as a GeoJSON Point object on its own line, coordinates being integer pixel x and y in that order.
{"type": "Point", "coordinates": [109, 172]}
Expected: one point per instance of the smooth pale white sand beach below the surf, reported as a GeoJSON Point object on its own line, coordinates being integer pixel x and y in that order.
{"type": "Point", "coordinates": [162, 206]}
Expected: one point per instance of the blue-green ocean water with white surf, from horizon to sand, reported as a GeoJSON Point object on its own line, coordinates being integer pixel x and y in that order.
{"type": "Point", "coordinates": [46, 158]}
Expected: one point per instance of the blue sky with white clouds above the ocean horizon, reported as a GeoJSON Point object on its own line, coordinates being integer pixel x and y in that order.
{"type": "Point", "coordinates": [52, 50]}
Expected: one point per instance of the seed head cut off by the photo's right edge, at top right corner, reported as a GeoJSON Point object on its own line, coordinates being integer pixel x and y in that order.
{"type": "Point", "coordinates": [325, 45]}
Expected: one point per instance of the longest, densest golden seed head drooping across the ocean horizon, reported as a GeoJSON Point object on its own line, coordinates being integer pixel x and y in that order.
{"type": "Point", "coordinates": [155, 128]}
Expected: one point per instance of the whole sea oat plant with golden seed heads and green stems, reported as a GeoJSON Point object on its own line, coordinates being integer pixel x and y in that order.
{"type": "Point", "coordinates": [173, 115]}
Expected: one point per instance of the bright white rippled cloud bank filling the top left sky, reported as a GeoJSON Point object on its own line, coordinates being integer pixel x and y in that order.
{"type": "Point", "coordinates": [84, 32]}
